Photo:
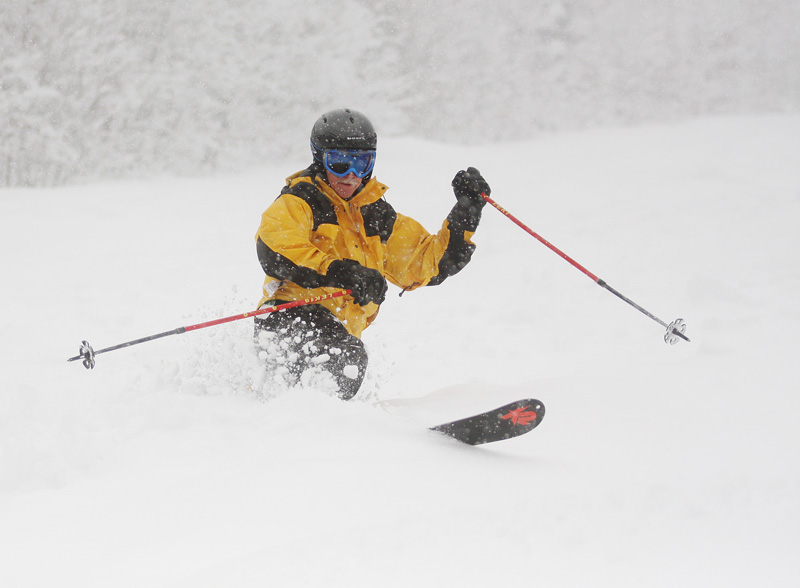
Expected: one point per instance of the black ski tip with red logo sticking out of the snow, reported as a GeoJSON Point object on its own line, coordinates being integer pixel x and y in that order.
{"type": "Point", "coordinates": [508, 421]}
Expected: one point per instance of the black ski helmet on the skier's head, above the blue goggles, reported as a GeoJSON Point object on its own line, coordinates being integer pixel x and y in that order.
{"type": "Point", "coordinates": [342, 129]}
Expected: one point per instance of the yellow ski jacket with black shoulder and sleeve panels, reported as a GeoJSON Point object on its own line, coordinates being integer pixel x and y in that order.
{"type": "Point", "coordinates": [309, 226]}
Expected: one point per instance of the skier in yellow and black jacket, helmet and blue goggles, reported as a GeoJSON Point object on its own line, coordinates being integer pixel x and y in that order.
{"type": "Point", "coordinates": [331, 229]}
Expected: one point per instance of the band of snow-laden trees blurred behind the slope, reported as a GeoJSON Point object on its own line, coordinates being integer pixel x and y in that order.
{"type": "Point", "coordinates": [103, 88]}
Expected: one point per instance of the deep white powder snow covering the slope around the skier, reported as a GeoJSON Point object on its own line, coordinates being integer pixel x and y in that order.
{"type": "Point", "coordinates": [175, 463]}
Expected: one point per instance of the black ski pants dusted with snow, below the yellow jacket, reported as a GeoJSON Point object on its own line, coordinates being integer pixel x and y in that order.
{"type": "Point", "coordinates": [309, 337]}
